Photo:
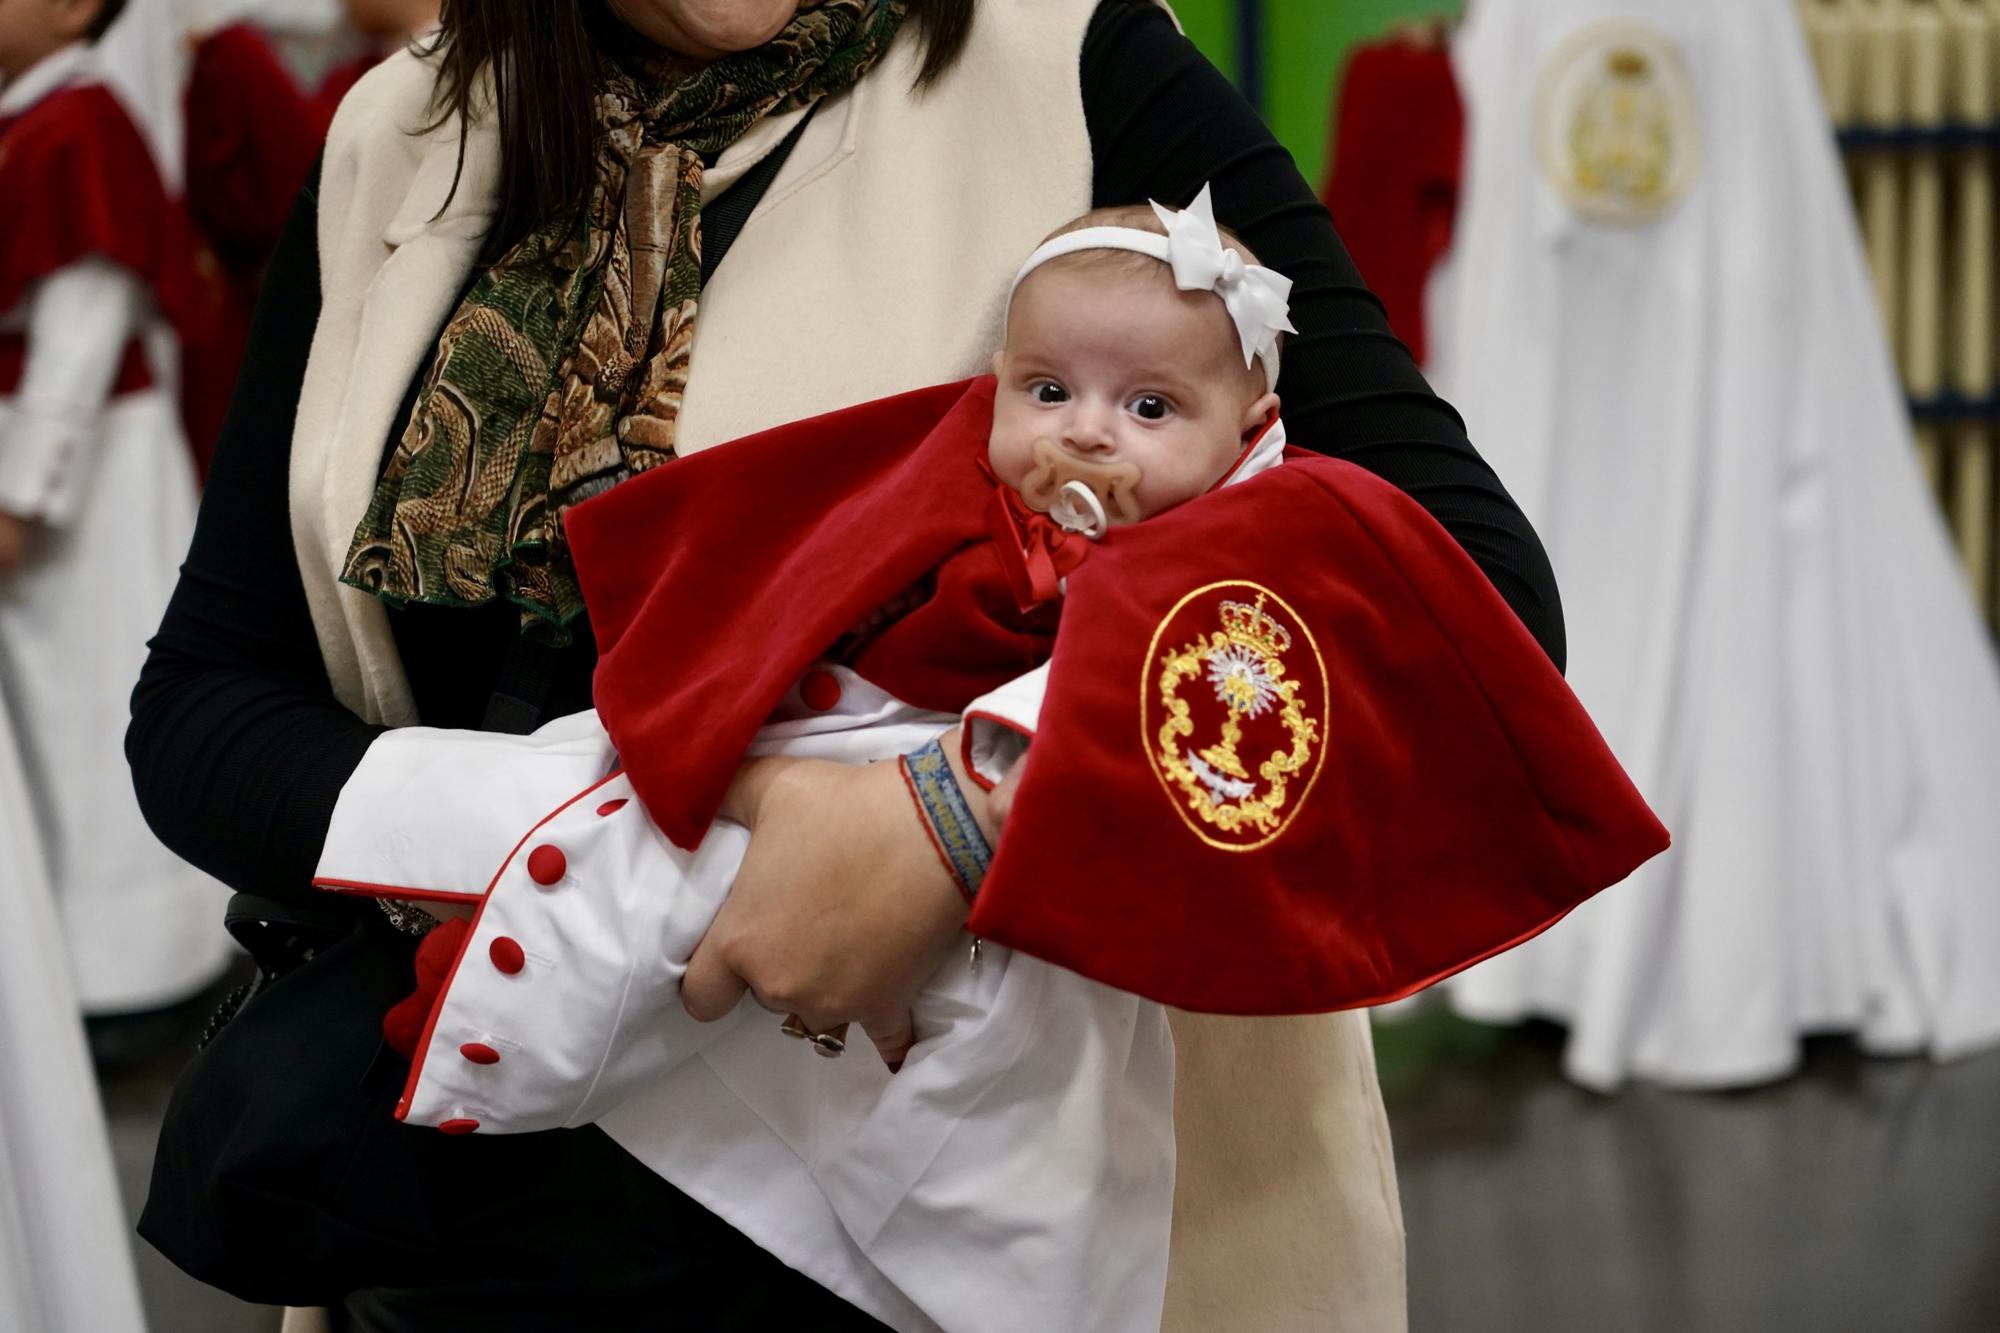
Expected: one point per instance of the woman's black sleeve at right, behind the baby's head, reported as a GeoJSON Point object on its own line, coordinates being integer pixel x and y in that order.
{"type": "Point", "coordinates": [1163, 123]}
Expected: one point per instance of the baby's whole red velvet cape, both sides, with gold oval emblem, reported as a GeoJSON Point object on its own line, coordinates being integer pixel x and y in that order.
{"type": "Point", "coordinates": [1443, 792]}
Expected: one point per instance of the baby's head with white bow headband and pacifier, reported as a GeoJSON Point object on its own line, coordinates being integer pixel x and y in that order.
{"type": "Point", "coordinates": [1123, 393]}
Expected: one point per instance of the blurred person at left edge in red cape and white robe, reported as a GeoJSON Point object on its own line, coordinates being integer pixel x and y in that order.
{"type": "Point", "coordinates": [99, 273]}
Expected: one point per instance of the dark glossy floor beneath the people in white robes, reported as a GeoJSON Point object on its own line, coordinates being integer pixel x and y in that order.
{"type": "Point", "coordinates": [1861, 1196]}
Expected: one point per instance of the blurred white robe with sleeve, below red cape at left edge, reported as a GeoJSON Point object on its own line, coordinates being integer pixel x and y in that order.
{"type": "Point", "coordinates": [115, 487]}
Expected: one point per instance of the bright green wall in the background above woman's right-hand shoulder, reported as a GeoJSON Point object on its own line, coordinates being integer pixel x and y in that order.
{"type": "Point", "coordinates": [1305, 47]}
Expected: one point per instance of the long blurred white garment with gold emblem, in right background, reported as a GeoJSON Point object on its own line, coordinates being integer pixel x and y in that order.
{"type": "Point", "coordinates": [1685, 381]}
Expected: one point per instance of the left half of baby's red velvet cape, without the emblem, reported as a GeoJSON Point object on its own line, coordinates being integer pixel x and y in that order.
{"type": "Point", "coordinates": [715, 583]}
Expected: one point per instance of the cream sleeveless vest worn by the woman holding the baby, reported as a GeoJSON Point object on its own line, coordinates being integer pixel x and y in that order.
{"type": "Point", "coordinates": [877, 263]}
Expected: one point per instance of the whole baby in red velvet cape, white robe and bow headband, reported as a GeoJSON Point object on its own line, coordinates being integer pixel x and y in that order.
{"type": "Point", "coordinates": [887, 583]}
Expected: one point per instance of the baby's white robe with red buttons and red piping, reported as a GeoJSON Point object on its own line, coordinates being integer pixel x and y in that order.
{"type": "Point", "coordinates": [1015, 1176]}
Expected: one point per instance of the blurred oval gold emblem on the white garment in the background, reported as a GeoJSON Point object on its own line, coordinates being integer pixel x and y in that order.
{"type": "Point", "coordinates": [1619, 131]}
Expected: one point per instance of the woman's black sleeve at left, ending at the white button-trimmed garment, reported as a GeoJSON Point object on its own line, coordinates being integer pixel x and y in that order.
{"type": "Point", "coordinates": [237, 744]}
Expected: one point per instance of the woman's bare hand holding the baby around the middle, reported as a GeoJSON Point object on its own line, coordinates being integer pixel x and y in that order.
{"type": "Point", "coordinates": [841, 910]}
